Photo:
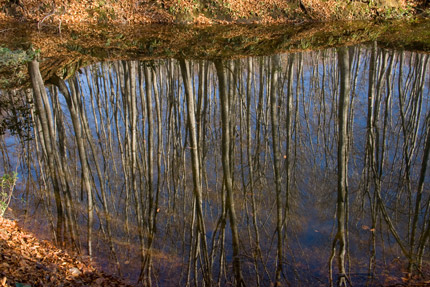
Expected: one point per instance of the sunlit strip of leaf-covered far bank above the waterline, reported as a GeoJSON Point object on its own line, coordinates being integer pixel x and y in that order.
{"type": "Point", "coordinates": [206, 11]}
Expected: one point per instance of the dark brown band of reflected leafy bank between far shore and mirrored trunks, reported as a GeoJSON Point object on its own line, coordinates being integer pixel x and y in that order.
{"type": "Point", "coordinates": [75, 46]}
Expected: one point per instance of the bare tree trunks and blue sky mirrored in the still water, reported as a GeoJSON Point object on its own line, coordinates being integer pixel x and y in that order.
{"type": "Point", "coordinates": [225, 171]}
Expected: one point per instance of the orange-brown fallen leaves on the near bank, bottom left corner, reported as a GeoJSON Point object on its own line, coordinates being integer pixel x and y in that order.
{"type": "Point", "coordinates": [26, 261]}
